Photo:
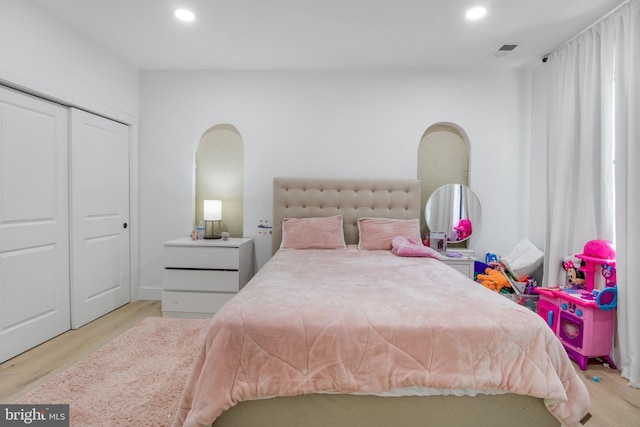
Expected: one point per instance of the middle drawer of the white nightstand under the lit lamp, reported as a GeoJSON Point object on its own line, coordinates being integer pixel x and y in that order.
{"type": "Point", "coordinates": [201, 280]}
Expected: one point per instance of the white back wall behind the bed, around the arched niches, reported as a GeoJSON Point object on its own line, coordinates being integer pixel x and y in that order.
{"type": "Point", "coordinates": [353, 124]}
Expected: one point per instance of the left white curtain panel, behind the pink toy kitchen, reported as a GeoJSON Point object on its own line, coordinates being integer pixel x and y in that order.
{"type": "Point", "coordinates": [579, 152]}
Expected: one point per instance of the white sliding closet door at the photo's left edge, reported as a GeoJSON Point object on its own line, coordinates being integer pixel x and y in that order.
{"type": "Point", "coordinates": [34, 222]}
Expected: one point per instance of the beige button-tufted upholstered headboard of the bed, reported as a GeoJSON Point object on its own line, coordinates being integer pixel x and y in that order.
{"type": "Point", "coordinates": [353, 198]}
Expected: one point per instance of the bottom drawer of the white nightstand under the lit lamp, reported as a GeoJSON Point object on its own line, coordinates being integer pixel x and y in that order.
{"type": "Point", "coordinates": [193, 302]}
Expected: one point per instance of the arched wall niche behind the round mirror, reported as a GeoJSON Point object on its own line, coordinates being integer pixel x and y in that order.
{"type": "Point", "coordinates": [443, 158]}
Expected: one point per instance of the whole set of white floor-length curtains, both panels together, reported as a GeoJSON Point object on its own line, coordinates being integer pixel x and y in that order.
{"type": "Point", "coordinates": [594, 112]}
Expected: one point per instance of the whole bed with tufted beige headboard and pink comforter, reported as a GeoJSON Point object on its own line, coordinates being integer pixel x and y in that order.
{"type": "Point", "coordinates": [354, 335]}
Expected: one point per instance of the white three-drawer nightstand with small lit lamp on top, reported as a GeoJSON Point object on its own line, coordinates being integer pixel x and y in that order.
{"type": "Point", "coordinates": [200, 276]}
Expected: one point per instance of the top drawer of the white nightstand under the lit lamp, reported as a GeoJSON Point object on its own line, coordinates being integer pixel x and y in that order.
{"type": "Point", "coordinates": [201, 257]}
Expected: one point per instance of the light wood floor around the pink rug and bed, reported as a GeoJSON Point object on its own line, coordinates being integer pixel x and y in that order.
{"type": "Point", "coordinates": [613, 402]}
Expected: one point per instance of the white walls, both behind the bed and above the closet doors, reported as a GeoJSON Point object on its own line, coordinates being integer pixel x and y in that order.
{"type": "Point", "coordinates": [359, 124]}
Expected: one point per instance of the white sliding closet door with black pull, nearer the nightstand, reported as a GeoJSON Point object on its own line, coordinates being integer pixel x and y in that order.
{"type": "Point", "coordinates": [100, 280]}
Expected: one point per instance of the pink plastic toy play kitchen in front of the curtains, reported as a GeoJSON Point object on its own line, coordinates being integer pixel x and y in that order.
{"type": "Point", "coordinates": [583, 318]}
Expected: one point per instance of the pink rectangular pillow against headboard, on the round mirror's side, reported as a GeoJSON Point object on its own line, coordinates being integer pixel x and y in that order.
{"type": "Point", "coordinates": [377, 233]}
